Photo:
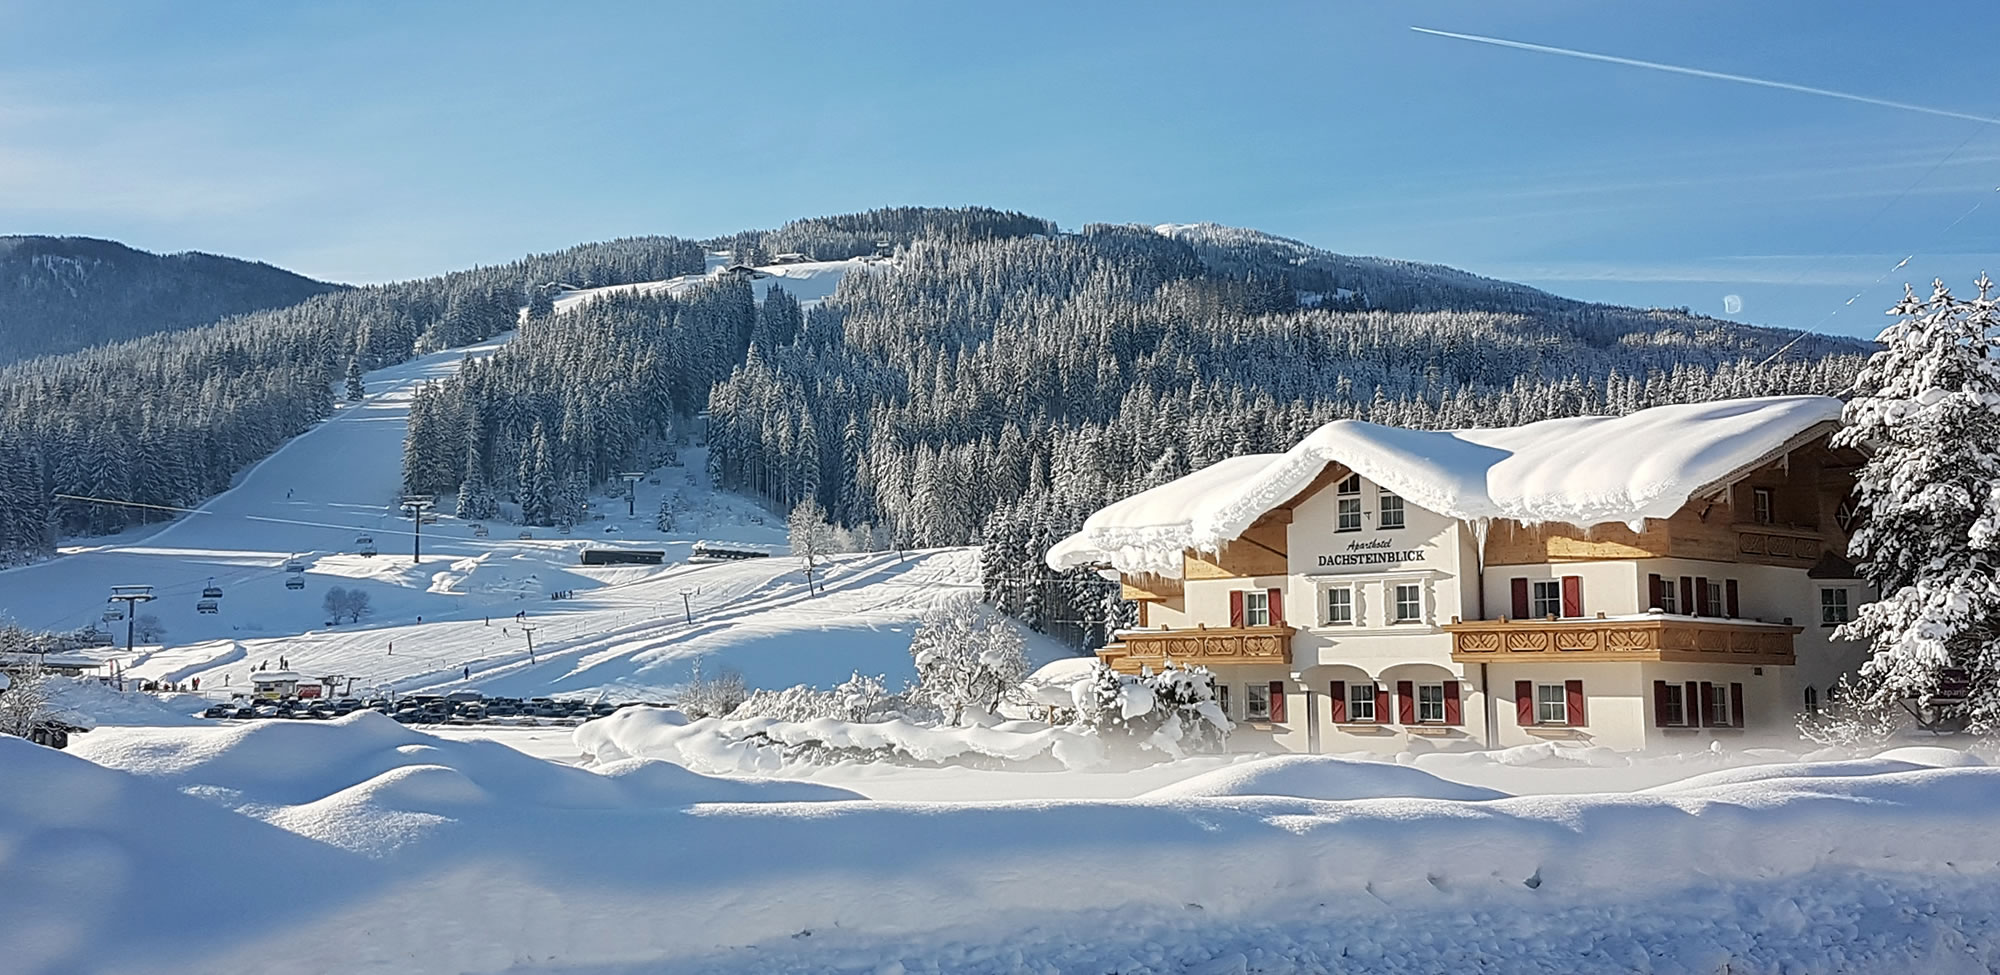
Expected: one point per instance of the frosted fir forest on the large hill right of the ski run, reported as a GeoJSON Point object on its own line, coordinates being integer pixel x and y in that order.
{"type": "Point", "coordinates": [999, 381]}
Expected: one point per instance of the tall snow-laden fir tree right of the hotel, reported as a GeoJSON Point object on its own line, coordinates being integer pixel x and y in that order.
{"type": "Point", "coordinates": [1927, 411]}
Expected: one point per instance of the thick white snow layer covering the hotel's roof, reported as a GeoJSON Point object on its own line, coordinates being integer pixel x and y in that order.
{"type": "Point", "coordinates": [1583, 471]}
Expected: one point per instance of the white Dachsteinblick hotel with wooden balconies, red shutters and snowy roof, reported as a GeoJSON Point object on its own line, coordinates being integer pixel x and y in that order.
{"type": "Point", "coordinates": [1653, 580]}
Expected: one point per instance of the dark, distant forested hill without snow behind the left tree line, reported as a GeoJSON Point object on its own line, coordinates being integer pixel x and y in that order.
{"type": "Point", "coordinates": [61, 295]}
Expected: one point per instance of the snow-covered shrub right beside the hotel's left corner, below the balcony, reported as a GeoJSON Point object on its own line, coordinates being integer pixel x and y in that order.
{"type": "Point", "coordinates": [1171, 712]}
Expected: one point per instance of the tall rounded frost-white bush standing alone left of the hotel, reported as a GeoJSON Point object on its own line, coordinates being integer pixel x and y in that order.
{"type": "Point", "coordinates": [967, 656]}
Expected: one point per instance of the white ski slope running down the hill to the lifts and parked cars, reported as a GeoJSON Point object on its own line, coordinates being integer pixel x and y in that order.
{"type": "Point", "coordinates": [449, 620]}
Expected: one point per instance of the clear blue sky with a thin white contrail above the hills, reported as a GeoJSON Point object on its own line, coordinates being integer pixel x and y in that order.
{"type": "Point", "coordinates": [371, 143]}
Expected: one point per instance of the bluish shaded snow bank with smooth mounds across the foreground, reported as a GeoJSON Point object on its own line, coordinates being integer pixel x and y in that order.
{"type": "Point", "coordinates": [363, 846]}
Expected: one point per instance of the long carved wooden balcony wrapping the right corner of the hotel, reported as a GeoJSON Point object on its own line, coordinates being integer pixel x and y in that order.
{"type": "Point", "coordinates": [1663, 638]}
